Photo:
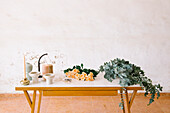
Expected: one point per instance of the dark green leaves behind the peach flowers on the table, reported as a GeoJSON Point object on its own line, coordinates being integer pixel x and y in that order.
{"type": "Point", "coordinates": [81, 69]}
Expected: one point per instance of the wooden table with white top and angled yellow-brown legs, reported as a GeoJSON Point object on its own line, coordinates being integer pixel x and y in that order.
{"type": "Point", "coordinates": [99, 87]}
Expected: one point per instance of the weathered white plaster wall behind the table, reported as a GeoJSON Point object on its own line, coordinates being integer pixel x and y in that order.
{"type": "Point", "coordinates": [88, 31]}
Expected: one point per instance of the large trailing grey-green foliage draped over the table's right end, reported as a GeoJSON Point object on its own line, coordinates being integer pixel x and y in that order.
{"type": "Point", "coordinates": [130, 74]}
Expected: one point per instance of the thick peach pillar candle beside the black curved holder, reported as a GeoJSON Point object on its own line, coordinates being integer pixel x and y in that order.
{"type": "Point", "coordinates": [47, 68]}
